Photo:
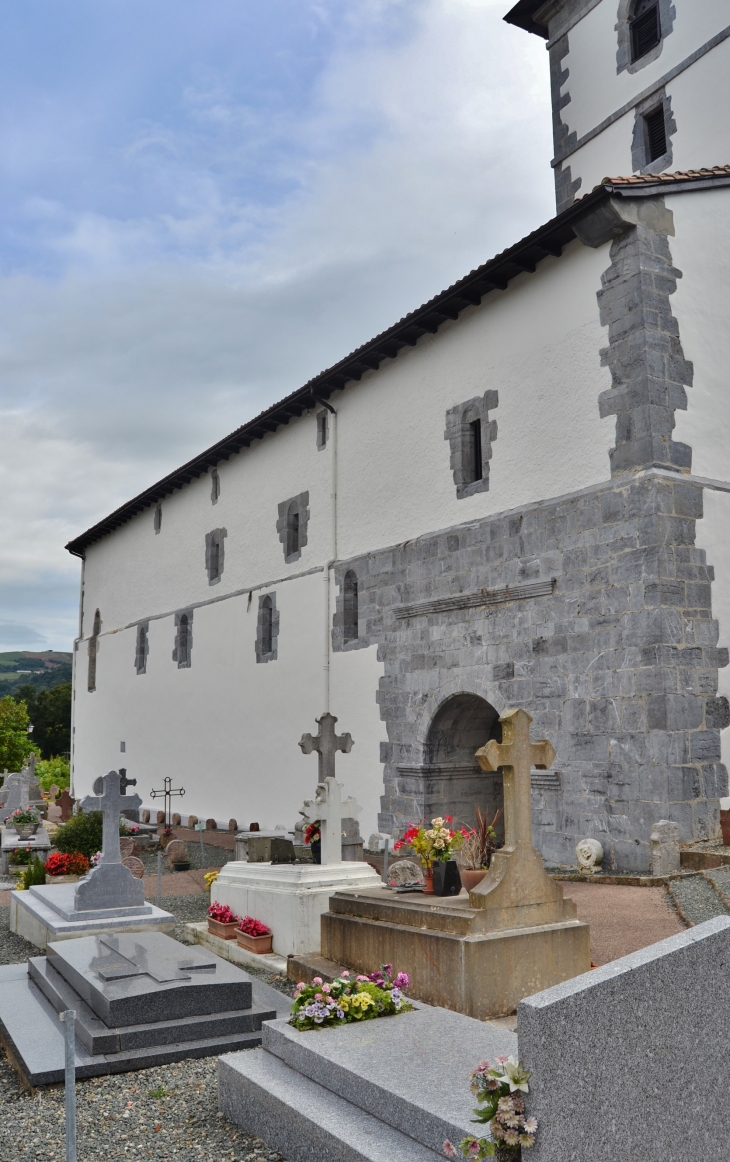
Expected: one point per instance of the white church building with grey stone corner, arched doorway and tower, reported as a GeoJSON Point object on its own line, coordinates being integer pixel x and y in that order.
{"type": "Point", "coordinates": [519, 496]}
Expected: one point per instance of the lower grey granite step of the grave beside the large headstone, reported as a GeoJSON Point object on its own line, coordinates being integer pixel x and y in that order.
{"type": "Point", "coordinates": [305, 1122]}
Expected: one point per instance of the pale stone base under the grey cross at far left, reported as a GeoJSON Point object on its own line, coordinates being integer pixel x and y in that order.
{"type": "Point", "coordinates": [33, 919]}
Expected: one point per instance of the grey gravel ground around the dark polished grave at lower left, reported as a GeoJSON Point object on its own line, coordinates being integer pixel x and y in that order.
{"type": "Point", "coordinates": [168, 1113]}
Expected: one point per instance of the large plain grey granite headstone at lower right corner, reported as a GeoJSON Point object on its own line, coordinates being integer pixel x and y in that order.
{"type": "Point", "coordinates": [632, 1060]}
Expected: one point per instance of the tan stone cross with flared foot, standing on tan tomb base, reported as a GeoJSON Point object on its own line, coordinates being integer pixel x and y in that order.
{"type": "Point", "coordinates": [517, 891]}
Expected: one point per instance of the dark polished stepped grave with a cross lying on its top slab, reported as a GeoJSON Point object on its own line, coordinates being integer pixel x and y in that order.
{"type": "Point", "coordinates": [141, 1000]}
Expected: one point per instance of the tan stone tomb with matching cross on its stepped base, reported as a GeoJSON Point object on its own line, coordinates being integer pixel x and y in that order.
{"type": "Point", "coordinates": [479, 956]}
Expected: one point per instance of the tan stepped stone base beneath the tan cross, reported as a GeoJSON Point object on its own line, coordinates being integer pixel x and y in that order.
{"type": "Point", "coordinates": [449, 960]}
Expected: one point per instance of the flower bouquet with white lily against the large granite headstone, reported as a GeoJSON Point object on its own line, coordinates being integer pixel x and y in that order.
{"type": "Point", "coordinates": [499, 1091]}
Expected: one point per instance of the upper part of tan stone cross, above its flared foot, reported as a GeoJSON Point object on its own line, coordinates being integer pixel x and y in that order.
{"type": "Point", "coordinates": [517, 755]}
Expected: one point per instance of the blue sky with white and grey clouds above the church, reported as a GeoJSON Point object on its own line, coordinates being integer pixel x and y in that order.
{"type": "Point", "coordinates": [205, 203]}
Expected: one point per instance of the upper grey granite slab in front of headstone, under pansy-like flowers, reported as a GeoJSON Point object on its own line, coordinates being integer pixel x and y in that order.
{"type": "Point", "coordinates": [370, 1065]}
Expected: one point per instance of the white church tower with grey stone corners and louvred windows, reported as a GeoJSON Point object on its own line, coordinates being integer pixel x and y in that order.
{"type": "Point", "coordinates": [639, 87]}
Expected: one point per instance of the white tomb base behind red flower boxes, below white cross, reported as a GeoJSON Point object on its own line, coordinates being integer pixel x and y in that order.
{"type": "Point", "coordinates": [290, 898]}
